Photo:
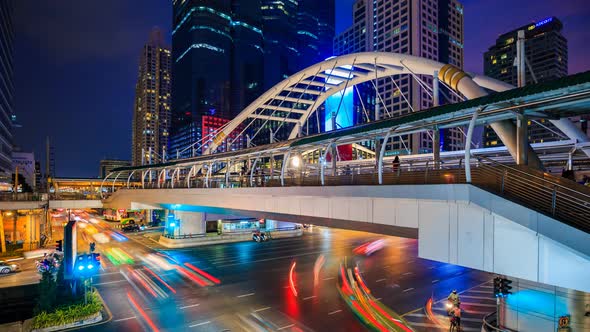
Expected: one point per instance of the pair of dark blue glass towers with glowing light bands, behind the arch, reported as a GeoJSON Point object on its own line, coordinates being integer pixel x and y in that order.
{"type": "Point", "coordinates": [226, 53]}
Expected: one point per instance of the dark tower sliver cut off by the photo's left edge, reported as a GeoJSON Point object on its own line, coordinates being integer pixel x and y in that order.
{"type": "Point", "coordinates": [6, 86]}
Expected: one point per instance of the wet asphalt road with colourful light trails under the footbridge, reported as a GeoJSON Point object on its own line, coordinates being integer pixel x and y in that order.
{"type": "Point", "coordinates": [255, 292]}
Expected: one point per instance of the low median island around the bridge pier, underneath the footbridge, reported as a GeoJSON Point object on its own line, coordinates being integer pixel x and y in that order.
{"type": "Point", "coordinates": [195, 240]}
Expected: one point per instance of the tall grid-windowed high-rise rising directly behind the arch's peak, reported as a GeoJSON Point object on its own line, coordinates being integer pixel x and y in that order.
{"type": "Point", "coordinates": [426, 28]}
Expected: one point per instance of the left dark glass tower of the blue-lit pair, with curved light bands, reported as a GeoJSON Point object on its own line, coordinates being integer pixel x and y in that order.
{"type": "Point", "coordinates": [217, 51]}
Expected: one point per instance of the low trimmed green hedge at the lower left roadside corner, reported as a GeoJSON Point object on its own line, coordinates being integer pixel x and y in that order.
{"type": "Point", "coordinates": [68, 314]}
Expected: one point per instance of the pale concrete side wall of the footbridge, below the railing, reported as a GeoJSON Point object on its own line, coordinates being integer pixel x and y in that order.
{"type": "Point", "coordinates": [458, 224]}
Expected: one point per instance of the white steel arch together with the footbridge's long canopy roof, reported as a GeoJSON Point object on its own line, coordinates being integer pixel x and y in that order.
{"type": "Point", "coordinates": [293, 101]}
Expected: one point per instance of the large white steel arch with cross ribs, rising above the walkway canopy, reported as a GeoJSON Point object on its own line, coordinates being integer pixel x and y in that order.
{"type": "Point", "coordinates": [296, 98]}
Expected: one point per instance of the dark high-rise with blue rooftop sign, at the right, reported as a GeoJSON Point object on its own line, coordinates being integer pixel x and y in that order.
{"type": "Point", "coordinates": [546, 54]}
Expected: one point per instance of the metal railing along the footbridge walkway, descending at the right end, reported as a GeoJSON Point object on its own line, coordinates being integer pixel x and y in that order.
{"type": "Point", "coordinates": [556, 197]}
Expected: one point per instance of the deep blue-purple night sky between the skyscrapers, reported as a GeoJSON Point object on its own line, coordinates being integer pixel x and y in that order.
{"type": "Point", "coordinates": [76, 65]}
